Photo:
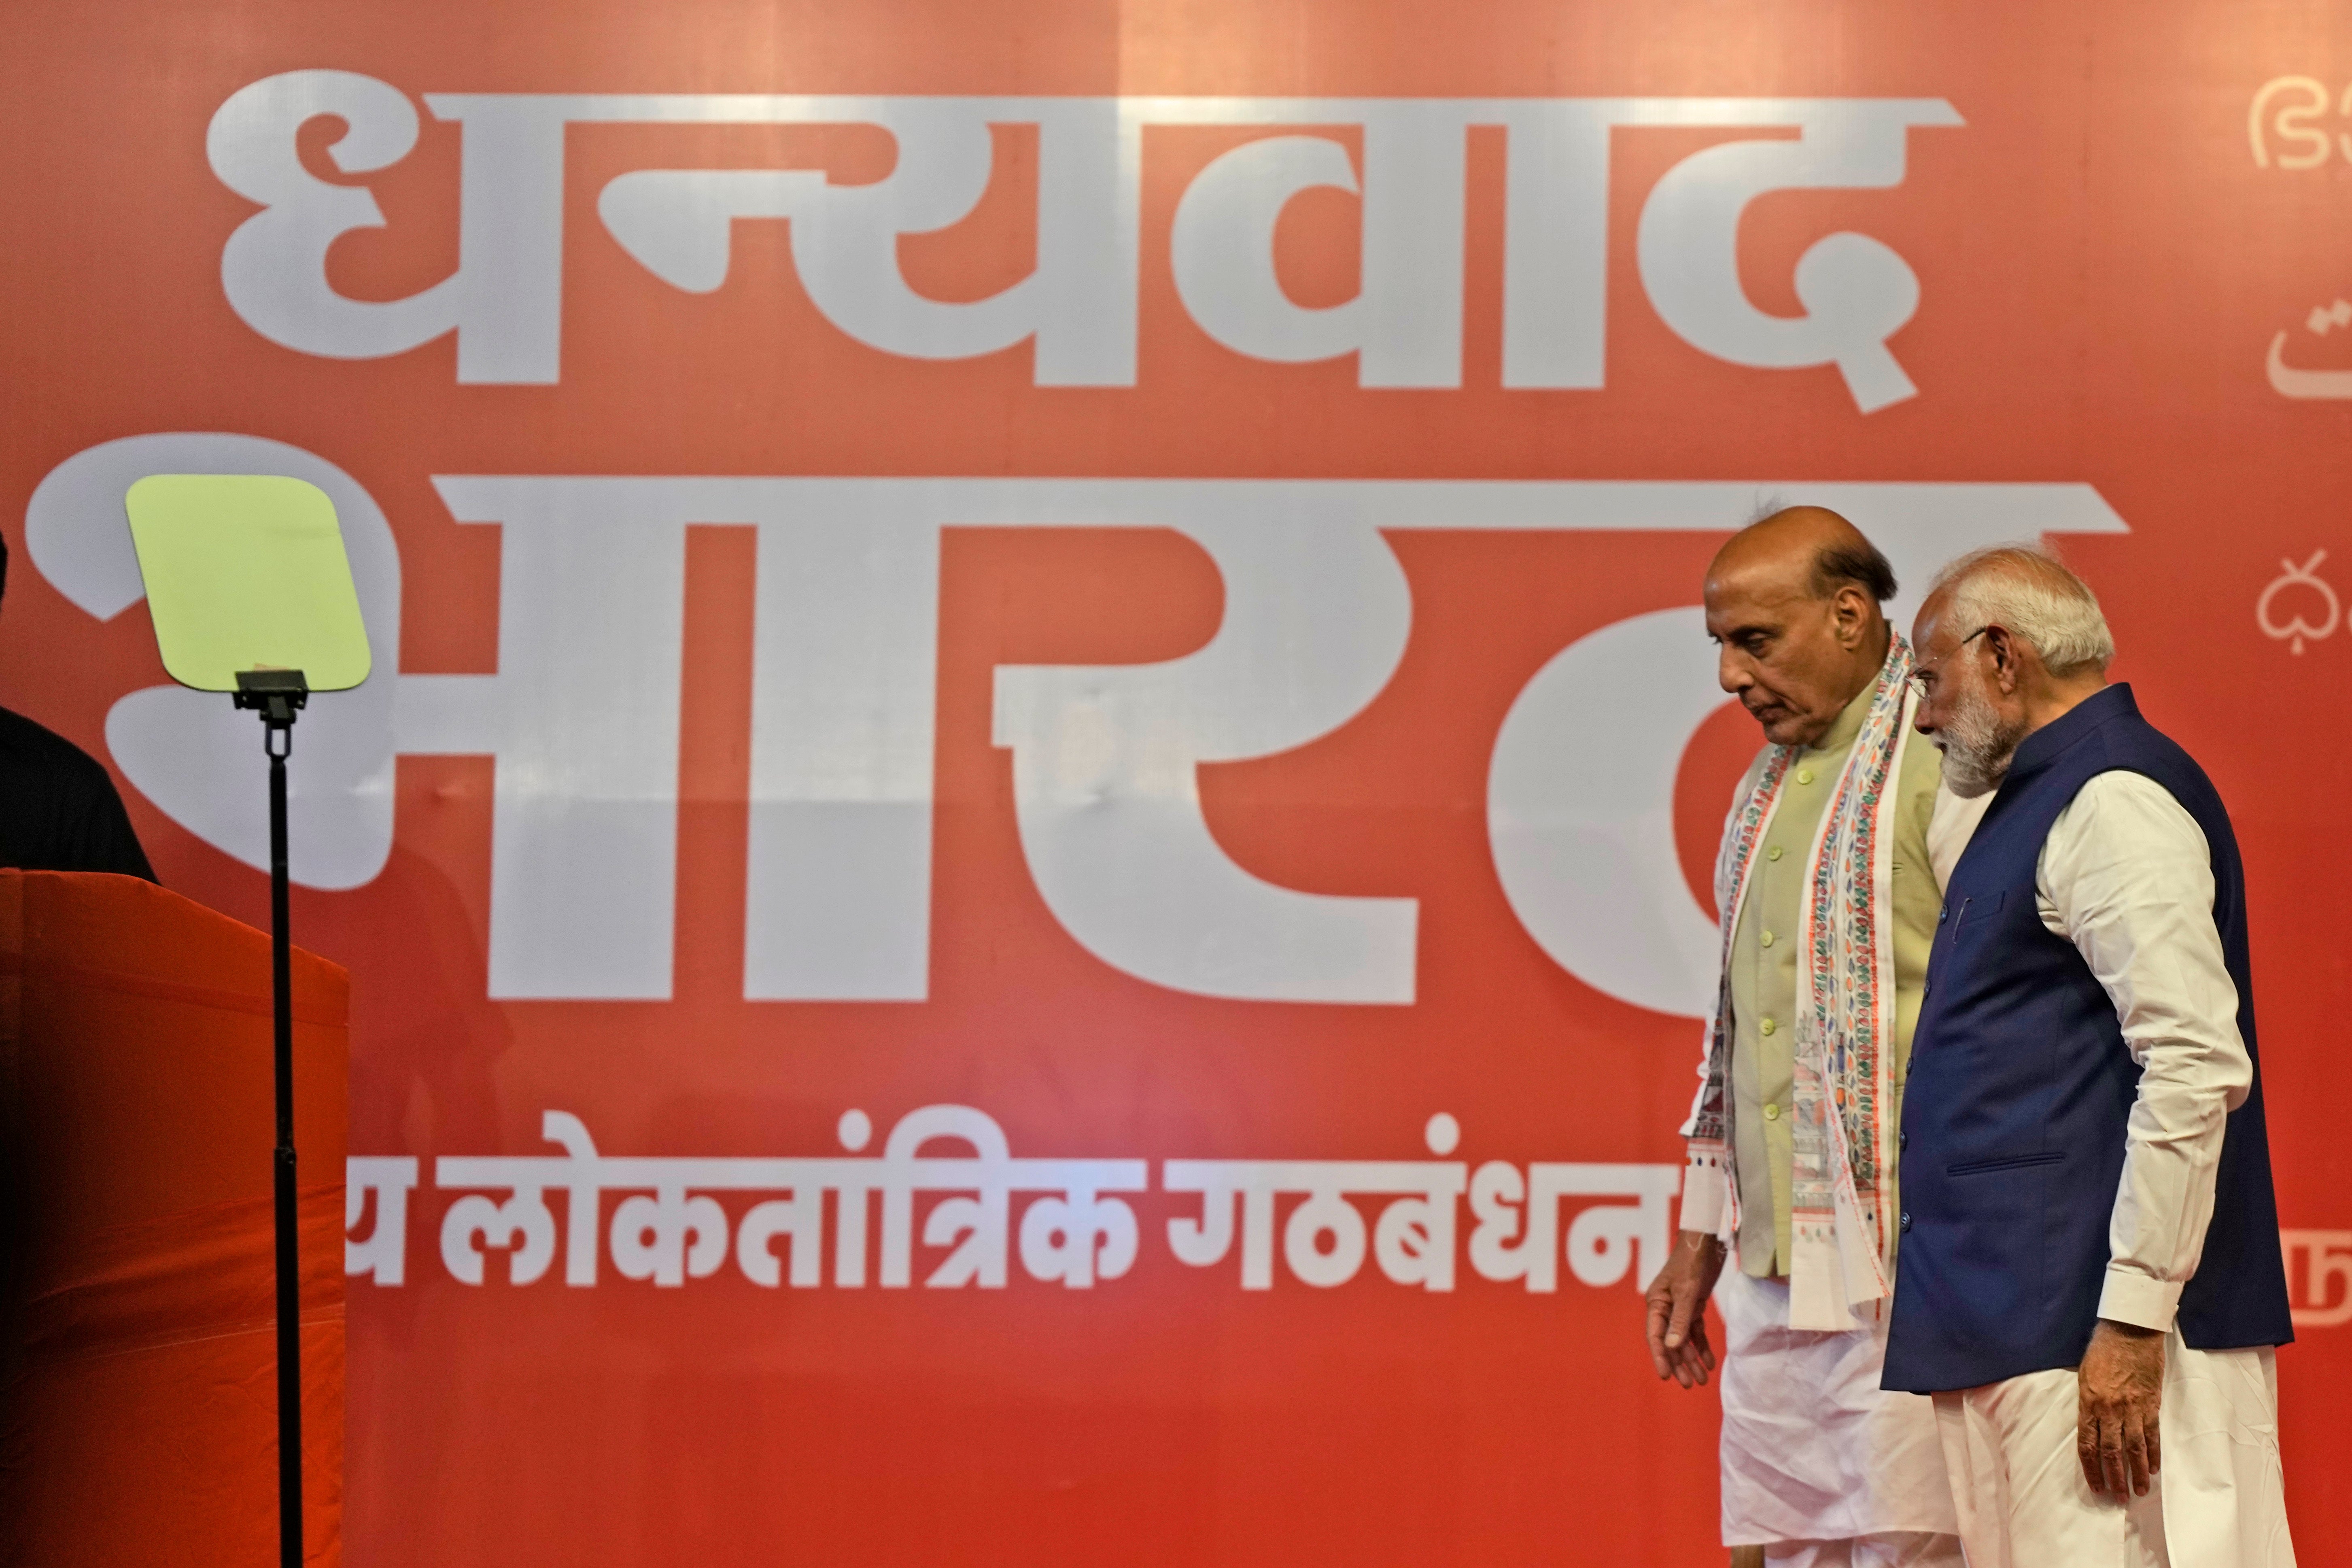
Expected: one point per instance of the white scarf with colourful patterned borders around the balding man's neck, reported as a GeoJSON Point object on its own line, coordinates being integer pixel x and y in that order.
{"type": "Point", "coordinates": [1843, 1120]}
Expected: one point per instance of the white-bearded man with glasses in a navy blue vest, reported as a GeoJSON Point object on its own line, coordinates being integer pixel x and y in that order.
{"type": "Point", "coordinates": [2090, 1275]}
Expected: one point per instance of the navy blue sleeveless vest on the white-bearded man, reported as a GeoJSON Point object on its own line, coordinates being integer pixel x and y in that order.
{"type": "Point", "coordinates": [2022, 1087]}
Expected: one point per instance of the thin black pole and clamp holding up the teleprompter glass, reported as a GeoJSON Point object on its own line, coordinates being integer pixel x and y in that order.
{"type": "Point", "coordinates": [279, 697]}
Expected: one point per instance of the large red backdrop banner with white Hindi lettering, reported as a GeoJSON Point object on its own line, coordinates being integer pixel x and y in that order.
{"type": "Point", "coordinates": [1027, 862]}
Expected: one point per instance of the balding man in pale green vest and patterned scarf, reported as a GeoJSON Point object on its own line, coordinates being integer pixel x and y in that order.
{"type": "Point", "coordinates": [1829, 902]}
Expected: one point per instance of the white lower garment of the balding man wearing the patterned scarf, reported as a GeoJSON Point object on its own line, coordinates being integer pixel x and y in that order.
{"type": "Point", "coordinates": [1819, 1463]}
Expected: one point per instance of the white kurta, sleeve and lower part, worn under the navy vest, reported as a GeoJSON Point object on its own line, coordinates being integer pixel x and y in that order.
{"type": "Point", "coordinates": [2127, 878]}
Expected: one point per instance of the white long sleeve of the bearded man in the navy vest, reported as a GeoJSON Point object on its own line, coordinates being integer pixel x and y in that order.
{"type": "Point", "coordinates": [2127, 878]}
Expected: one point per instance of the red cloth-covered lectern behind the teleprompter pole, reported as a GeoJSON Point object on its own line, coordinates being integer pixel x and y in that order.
{"type": "Point", "coordinates": [140, 1409]}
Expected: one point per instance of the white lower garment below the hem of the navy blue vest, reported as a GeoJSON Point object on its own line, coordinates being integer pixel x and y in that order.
{"type": "Point", "coordinates": [2217, 1499]}
